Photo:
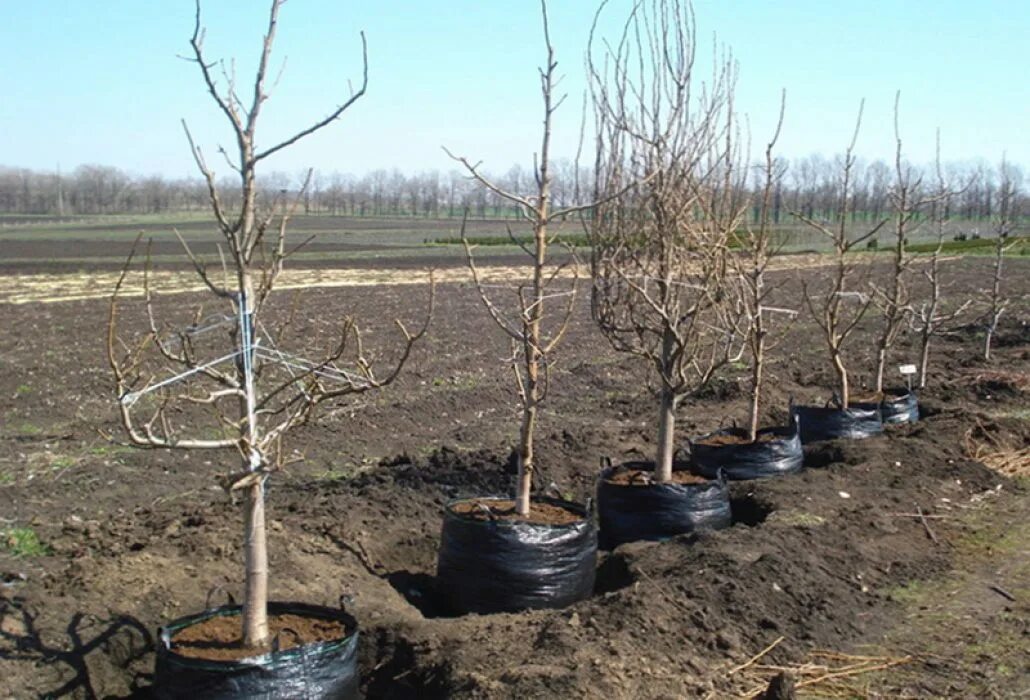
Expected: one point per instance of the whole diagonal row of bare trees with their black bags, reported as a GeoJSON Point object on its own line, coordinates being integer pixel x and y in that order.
{"type": "Point", "coordinates": [678, 278]}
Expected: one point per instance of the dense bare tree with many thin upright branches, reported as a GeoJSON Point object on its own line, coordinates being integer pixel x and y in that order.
{"type": "Point", "coordinates": [663, 285]}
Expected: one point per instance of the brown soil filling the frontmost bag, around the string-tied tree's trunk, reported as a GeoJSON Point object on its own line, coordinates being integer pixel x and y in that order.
{"type": "Point", "coordinates": [221, 638]}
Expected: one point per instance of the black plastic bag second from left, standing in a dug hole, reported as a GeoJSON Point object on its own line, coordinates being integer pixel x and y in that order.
{"type": "Point", "coordinates": [504, 566]}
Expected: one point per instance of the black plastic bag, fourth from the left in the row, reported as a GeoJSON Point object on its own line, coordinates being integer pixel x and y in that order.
{"type": "Point", "coordinates": [777, 452]}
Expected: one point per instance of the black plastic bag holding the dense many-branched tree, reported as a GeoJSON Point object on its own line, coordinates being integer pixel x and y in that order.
{"type": "Point", "coordinates": [656, 512]}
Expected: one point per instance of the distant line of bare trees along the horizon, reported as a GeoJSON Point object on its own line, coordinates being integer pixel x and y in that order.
{"type": "Point", "coordinates": [808, 187]}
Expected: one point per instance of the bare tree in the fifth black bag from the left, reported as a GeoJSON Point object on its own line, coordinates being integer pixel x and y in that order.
{"type": "Point", "coordinates": [837, 308]}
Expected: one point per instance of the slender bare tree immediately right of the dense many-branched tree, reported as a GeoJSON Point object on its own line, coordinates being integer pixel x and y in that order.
{"type": "Point", "coordinates": [752, 264]}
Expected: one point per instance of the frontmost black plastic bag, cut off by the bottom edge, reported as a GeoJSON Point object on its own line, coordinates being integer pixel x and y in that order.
{"type": "Point", "coordinates": [325, 671]}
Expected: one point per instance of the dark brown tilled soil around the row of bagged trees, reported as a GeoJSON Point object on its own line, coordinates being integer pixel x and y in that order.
{"type": "Point", "coordinates": [892, 548]}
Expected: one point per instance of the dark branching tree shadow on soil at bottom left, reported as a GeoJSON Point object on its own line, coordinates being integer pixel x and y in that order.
{"type": "Point", "coordinates": [123, 640]}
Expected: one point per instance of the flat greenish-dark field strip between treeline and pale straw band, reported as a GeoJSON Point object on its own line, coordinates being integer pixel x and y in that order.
{"type": "Point", "coordinates": [105, 241]}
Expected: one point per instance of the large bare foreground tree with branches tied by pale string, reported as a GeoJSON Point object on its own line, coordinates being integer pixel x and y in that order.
{"type": "Point", "coordinates": [256, 394]}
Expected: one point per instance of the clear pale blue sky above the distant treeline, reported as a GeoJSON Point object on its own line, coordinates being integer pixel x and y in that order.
{"type": "Point", "coordinates": [100, 82]}
